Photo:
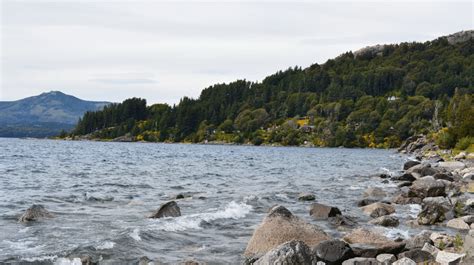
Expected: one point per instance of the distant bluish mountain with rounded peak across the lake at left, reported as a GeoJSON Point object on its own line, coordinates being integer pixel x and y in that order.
{"type": "Point", "coordinates": [43, 115]}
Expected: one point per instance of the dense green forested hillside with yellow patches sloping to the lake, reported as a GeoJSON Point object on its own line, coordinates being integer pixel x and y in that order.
{"type": "Point", "coordinates": [375, 97]}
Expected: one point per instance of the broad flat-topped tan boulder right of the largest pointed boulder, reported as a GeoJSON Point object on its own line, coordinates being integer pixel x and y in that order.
{"type": "Point", "coordinates": [362, 237]}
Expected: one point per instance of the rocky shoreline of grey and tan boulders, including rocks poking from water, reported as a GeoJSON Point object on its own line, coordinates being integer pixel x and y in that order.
{"type": "Point", "coordinates": [440, 184]}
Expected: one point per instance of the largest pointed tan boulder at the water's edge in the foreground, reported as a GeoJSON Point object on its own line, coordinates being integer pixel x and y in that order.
{"type": "Point", "coordinates": [280, 226]}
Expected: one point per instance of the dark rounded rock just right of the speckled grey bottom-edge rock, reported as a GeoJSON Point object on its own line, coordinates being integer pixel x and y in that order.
{"type": "Point", "coordinates": [333, 251]}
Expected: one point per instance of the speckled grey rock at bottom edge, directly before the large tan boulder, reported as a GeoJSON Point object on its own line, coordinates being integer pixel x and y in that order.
{"type": "Point", "coordinates": [292, 253]}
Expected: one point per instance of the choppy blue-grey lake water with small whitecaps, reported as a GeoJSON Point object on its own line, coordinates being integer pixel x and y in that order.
{"type": "Point", "coordinates": [101, 194]}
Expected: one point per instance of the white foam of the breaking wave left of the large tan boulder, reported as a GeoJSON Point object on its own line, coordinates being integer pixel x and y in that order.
{"type": "Point", "coordinates": [232, 211]}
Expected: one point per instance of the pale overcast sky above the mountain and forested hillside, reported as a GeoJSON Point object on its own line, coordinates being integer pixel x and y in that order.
{"type": "Point", "coordinates": [161, 51]}
